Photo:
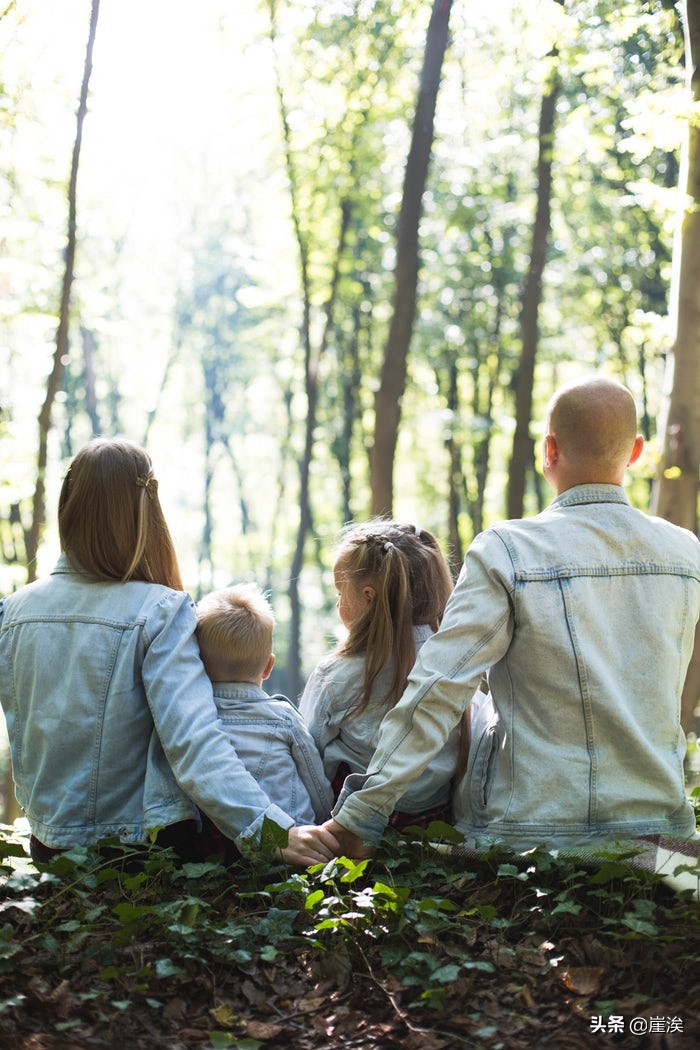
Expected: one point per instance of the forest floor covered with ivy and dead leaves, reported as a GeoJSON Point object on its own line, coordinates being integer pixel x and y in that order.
{"type": "Point", "coordinates": [415, 950]}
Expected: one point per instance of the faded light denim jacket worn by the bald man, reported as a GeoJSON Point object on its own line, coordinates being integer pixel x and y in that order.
{"type": "Point", "coordinates": [585, 618]}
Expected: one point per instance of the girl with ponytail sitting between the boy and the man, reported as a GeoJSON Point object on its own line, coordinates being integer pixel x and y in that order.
{"type": "Point", "coordinates": [393, 584]}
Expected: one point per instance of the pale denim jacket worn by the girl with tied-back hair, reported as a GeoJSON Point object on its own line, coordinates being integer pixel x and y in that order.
{"type": "Point", "coordinates": [331, 690]}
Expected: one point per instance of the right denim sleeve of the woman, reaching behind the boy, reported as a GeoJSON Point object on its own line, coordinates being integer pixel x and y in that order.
{"type": "Point", "coordinates": [200, 752]}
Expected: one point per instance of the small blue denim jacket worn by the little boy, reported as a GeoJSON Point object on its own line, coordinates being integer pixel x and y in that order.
{"type": "Point", "coordinates": [273, 743]}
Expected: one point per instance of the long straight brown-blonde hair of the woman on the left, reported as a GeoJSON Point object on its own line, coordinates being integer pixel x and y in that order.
{"type": "Point", "coordinates": [111, 520]}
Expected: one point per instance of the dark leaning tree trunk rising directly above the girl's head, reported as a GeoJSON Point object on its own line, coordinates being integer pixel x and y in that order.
{"type": "Point", "coordinates": [388, 403]}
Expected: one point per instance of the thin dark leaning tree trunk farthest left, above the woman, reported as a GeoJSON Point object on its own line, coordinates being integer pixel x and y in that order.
{"type": "Point", "coordinates": [60, 354]}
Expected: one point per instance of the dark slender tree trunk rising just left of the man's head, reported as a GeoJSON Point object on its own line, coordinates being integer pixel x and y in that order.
{"type": "Point", "coordinates": [523, 446]}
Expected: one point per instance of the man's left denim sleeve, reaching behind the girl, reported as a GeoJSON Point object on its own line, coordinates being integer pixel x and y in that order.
{"type": "Point", "coordinates": [475, 635]}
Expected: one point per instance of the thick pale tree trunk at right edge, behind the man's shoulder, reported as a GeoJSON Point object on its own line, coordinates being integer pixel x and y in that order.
{"type": "Point", "coordinates": [675, 495]}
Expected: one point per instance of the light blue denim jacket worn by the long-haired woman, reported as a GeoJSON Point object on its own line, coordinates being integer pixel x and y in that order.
{"type": "Point", "coordinates": [112, 718]}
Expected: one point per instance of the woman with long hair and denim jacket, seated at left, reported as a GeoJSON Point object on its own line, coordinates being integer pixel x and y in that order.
{"type": "Point", "coordinates": [112, 719]}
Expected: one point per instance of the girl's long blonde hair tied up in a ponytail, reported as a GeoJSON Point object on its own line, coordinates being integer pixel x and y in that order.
{"type": "Point", "coordinates": [412, 581]}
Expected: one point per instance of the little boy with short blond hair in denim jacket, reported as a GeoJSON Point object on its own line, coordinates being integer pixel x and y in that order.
{"type": "Point", "coordinates": [236, 628]}
